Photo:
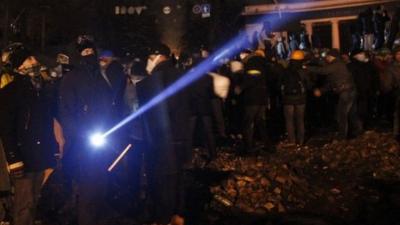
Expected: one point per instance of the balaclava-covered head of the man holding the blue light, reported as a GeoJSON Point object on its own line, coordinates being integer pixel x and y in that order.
{"type": "Point", "coordinates": [87, 50]}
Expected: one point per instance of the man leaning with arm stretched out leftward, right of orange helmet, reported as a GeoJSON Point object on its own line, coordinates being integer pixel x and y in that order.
{"type": "Point", "coordinates": [340, 81]}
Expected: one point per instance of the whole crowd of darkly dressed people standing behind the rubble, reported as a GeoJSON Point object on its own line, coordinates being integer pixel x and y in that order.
{"type": "Point", "coordinates": [47, 116]}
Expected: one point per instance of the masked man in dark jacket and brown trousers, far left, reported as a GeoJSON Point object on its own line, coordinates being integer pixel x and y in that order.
{"type": "Point", "coordinates": [28, 133]}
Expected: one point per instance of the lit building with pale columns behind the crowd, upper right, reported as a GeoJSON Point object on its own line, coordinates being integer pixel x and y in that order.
{"type": "Point", "coordinates": [330, 19]}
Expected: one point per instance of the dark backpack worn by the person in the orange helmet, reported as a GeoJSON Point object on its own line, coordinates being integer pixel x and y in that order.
{"type": "Point", "coordinates": [292, 84]}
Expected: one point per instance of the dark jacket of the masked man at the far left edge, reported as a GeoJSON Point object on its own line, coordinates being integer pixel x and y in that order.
{"type": "Point", "coordinates": [28, 134]}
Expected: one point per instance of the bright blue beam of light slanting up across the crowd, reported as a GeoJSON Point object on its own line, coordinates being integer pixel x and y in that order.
{"type": "Point", "coordinates": [229, 50]}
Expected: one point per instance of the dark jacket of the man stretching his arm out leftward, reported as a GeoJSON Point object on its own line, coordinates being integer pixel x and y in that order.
{"type": "Point", "coordinates": [339, 78]}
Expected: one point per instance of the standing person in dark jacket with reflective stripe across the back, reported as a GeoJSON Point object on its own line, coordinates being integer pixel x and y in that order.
{"type": "Point", "coordinates": [253, 91]}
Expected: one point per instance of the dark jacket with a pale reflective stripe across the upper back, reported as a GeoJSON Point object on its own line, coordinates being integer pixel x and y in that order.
{"type": "Point", "coordinates": [254, 86]}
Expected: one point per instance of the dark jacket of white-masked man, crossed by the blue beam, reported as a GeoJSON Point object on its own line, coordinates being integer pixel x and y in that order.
{"type": "Point", "coordinates": [167, 122]}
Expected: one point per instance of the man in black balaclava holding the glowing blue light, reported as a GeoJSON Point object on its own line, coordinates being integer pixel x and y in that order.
{"type": "Point", "coordinates": [89, 104]}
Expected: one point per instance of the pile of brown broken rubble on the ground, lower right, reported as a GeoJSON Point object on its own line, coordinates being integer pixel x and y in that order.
{"type": "Point", "coordinates": [294, 179]}
